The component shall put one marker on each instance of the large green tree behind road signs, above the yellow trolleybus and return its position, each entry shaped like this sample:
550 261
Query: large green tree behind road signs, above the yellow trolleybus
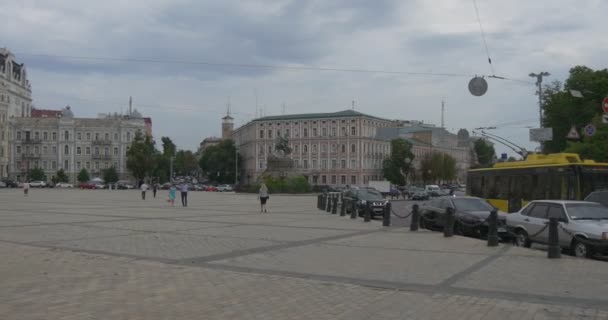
563 111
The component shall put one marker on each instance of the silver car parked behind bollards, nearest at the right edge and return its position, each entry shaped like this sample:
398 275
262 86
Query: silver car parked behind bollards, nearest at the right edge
583 229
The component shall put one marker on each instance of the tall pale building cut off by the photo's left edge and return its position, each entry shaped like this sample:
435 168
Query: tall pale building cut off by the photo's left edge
15 100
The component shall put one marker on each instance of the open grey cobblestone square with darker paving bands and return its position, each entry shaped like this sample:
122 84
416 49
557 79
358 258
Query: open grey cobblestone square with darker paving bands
72 254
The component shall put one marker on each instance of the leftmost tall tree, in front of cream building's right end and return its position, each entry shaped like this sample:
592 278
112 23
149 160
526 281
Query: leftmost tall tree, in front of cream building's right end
141 156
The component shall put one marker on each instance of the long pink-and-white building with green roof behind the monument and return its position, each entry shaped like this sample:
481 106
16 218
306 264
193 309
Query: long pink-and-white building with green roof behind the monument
337 149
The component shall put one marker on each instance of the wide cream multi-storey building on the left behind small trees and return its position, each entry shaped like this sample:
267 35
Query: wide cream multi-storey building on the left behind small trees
72 144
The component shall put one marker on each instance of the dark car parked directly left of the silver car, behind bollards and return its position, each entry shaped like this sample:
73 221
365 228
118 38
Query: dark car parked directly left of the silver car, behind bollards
471 216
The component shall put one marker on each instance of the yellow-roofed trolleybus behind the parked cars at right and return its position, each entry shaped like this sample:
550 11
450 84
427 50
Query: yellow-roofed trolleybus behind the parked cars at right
561 176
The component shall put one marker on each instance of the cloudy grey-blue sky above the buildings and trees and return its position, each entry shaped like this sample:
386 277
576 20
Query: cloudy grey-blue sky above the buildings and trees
184 61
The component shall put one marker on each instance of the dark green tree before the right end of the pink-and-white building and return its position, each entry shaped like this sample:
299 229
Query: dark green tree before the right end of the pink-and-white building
396 168
